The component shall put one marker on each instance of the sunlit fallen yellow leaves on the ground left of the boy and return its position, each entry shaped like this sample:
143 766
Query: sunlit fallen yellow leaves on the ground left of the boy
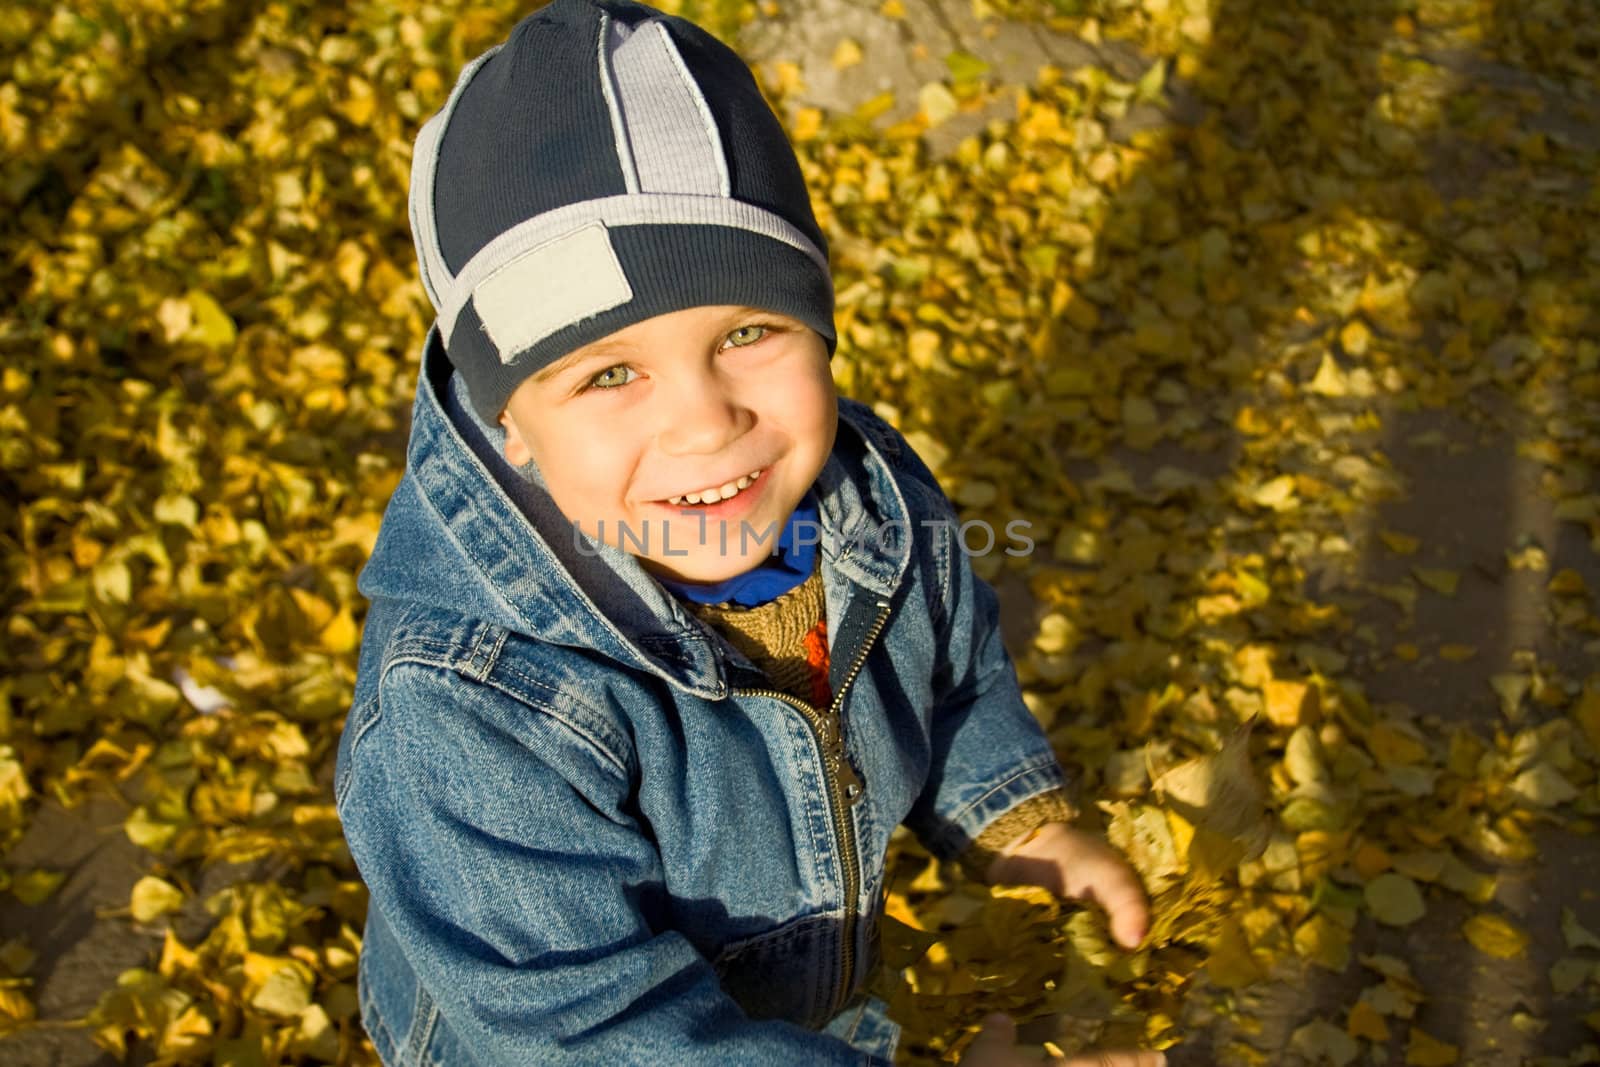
209 370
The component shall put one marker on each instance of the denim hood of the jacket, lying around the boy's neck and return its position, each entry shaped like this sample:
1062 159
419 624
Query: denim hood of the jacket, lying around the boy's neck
471 535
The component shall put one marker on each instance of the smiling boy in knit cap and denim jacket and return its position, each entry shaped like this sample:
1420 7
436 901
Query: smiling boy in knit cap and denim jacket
665 637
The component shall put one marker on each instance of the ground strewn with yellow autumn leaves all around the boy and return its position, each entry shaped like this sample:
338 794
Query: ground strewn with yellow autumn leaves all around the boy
1298 383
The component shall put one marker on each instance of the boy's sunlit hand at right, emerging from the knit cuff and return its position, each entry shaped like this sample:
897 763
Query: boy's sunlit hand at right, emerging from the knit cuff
1081 866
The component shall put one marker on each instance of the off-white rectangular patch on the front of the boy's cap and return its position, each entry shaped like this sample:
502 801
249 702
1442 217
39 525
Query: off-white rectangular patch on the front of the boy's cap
551 287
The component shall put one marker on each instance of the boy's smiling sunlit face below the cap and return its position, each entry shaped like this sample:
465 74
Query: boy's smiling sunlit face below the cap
684 404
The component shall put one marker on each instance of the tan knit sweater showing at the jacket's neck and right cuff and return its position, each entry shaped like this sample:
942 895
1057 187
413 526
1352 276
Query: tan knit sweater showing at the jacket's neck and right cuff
788 641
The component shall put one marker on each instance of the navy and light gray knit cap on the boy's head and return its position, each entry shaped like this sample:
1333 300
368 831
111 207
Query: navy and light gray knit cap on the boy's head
604 166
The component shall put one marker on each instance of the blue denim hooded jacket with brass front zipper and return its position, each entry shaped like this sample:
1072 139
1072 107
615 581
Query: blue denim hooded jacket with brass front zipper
593 833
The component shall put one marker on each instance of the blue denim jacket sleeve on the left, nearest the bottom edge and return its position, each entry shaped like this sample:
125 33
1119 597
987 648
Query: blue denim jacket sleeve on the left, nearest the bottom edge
498 847
